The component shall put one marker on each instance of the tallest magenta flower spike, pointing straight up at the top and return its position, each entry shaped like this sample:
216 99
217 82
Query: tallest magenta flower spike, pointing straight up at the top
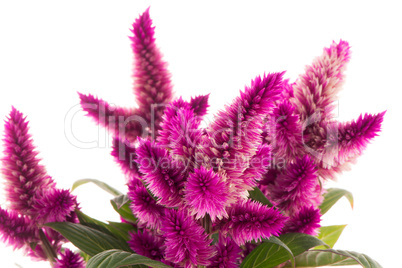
152 85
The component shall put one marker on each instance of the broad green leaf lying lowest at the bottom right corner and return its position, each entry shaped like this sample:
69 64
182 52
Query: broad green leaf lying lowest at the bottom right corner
331 257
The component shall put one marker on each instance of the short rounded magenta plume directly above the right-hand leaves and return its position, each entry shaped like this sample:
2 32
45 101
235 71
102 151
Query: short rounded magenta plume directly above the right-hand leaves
297 186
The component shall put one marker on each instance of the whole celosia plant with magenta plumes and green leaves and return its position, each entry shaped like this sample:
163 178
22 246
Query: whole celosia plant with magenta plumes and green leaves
199 197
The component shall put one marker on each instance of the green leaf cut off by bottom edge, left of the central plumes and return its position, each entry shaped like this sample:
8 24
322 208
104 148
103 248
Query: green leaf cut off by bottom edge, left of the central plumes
117 258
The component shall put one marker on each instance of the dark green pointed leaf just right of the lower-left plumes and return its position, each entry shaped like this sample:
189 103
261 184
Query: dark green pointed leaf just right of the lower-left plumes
87 239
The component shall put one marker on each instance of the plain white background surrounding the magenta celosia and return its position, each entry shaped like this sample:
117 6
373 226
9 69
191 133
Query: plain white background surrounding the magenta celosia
49 51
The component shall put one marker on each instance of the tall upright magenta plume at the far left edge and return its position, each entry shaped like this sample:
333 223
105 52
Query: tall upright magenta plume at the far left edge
20 166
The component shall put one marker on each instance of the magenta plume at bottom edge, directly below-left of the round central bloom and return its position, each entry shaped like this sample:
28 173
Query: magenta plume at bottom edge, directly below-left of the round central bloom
186 243
